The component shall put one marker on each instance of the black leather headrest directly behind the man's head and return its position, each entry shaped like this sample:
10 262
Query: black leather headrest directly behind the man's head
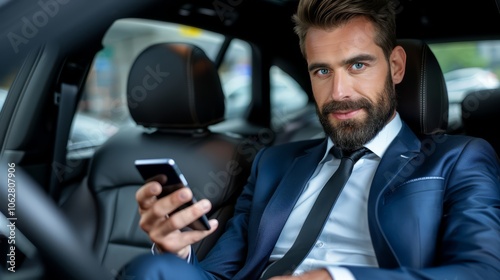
422 95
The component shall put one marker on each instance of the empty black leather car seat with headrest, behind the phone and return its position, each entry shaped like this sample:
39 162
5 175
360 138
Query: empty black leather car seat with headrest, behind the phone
174 94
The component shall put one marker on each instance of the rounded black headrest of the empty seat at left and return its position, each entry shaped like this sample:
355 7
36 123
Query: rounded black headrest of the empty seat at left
174 85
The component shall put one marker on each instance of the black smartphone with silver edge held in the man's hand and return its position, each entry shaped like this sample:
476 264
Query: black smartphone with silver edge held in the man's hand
150 169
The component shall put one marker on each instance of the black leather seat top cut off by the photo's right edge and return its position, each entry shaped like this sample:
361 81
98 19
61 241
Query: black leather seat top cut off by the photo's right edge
480 112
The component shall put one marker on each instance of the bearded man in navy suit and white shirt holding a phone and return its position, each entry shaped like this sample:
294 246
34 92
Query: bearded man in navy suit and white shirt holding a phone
439 221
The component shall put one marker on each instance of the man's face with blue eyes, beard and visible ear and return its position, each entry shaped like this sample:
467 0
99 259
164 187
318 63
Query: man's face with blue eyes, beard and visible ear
352 81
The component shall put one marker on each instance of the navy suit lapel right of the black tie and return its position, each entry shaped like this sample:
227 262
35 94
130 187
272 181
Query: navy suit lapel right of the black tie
391 172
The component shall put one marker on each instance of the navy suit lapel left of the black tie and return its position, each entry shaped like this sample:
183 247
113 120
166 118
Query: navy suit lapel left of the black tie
280 206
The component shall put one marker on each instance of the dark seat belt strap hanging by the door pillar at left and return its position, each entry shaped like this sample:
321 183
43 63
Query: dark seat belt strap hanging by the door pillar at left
66 101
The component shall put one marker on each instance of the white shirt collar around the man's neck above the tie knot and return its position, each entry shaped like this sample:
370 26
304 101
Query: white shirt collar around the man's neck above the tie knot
379 144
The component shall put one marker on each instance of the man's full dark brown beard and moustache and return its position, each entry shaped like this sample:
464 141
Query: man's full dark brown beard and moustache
352 134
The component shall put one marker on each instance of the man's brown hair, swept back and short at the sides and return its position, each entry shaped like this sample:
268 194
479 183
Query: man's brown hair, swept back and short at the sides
328 14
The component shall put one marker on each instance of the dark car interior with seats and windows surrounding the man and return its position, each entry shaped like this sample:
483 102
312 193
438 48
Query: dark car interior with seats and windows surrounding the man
91 86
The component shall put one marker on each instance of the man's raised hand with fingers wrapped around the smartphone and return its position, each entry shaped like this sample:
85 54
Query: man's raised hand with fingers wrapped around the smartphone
164 228
